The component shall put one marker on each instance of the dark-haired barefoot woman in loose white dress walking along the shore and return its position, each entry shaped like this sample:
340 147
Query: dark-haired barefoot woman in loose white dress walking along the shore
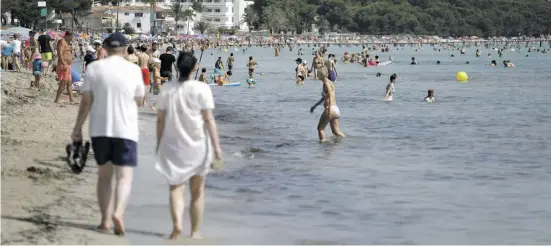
187 141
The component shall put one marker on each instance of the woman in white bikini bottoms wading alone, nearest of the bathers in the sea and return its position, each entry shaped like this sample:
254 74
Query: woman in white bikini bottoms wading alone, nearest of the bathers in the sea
331 114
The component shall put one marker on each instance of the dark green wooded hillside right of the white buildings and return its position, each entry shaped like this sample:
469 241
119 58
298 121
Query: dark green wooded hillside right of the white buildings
481 18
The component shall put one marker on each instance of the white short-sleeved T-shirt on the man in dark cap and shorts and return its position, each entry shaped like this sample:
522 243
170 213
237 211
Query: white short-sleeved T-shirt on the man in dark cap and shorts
115 85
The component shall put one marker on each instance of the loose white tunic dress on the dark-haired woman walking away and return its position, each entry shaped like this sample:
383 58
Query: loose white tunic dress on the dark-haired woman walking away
185 149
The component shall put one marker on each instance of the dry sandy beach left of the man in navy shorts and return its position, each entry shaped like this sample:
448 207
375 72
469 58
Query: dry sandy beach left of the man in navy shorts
43 202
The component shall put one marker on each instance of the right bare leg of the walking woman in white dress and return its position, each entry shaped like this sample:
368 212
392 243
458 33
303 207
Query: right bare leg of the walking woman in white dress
196 208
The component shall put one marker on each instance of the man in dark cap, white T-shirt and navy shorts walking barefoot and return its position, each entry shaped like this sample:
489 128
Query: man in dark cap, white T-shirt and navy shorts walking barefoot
112 92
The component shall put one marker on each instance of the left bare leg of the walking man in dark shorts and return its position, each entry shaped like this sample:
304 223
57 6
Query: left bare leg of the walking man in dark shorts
104 194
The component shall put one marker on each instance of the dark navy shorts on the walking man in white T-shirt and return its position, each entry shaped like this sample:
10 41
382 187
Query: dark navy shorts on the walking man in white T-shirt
120 152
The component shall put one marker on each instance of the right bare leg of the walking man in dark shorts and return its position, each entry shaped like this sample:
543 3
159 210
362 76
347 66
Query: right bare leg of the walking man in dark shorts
123 177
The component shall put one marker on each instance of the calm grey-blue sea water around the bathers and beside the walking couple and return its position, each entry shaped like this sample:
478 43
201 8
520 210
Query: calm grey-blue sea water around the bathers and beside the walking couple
472 168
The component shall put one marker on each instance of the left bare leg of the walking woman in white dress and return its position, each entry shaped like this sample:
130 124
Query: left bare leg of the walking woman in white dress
176 200
